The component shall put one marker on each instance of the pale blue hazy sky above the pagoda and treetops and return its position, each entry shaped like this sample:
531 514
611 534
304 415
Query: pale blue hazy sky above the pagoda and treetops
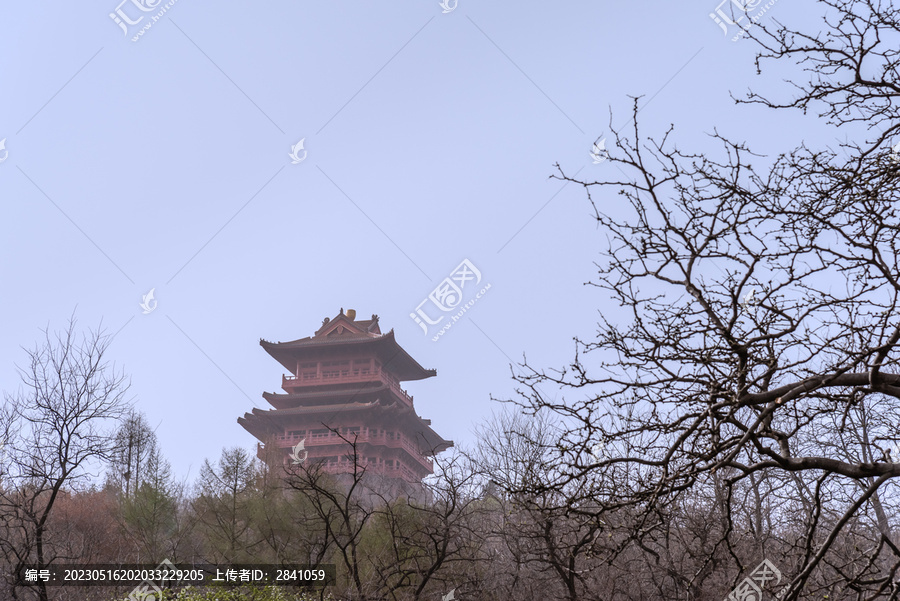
429 138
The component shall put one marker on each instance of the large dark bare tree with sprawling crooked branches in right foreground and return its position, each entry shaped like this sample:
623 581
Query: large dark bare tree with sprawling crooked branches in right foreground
754 358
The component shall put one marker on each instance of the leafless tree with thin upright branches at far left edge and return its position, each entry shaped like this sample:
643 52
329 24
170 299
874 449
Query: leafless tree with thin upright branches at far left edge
55 429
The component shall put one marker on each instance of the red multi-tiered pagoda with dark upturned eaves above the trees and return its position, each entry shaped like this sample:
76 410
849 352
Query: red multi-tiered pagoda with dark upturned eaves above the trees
343 390
